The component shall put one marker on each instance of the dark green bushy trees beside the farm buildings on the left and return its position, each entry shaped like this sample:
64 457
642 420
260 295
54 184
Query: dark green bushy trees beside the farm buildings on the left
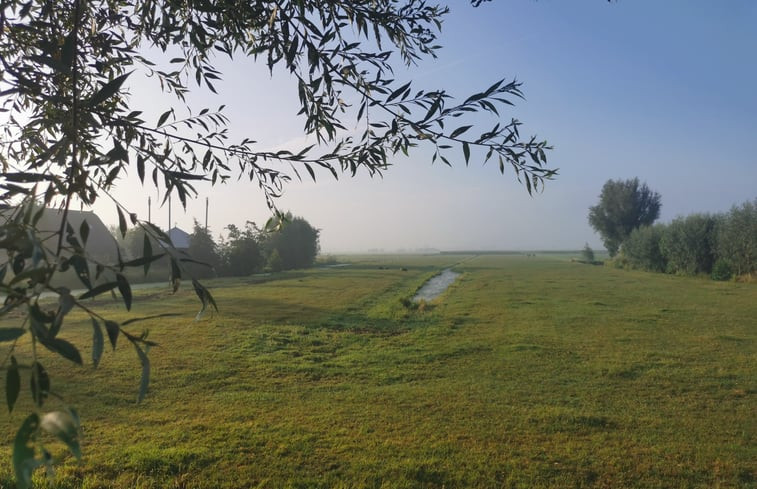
243 251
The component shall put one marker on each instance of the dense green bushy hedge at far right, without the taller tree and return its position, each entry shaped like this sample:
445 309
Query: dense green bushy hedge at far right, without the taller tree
720 245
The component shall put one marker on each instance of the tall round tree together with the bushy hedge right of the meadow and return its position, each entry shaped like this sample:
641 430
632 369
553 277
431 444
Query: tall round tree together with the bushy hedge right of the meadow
717 244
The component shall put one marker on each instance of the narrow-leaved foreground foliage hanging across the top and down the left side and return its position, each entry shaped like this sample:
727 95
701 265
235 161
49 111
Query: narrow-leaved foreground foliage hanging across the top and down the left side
70 131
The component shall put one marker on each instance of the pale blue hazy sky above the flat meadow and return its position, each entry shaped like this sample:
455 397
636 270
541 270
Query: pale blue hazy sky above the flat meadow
660 90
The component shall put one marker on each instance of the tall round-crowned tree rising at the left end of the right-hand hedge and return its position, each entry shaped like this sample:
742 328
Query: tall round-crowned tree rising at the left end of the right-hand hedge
624 205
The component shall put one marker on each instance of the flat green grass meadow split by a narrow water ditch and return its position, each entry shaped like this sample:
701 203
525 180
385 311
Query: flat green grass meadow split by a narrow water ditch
528 372
